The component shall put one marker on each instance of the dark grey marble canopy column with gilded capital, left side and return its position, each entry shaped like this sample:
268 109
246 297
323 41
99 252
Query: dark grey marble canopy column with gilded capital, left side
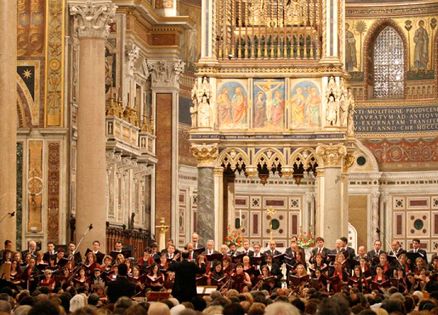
206 155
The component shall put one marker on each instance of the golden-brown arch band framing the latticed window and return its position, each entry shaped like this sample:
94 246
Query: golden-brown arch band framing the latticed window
369 42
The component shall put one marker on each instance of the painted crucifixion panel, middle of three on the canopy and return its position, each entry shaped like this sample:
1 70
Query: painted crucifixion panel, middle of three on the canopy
268 103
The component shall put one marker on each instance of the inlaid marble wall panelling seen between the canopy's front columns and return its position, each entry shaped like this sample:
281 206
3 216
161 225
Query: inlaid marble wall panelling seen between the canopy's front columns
259 225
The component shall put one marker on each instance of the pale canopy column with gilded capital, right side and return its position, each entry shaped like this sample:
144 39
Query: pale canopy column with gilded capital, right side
332 201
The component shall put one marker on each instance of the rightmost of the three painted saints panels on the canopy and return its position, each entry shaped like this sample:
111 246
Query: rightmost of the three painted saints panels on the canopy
305 104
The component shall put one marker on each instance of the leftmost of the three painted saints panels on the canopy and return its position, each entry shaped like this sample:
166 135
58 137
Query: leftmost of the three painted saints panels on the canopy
232 104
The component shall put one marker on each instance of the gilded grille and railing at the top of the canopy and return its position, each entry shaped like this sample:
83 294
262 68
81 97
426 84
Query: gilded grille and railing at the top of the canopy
261 29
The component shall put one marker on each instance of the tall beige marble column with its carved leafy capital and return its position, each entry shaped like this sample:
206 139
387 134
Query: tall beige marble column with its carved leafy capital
92 20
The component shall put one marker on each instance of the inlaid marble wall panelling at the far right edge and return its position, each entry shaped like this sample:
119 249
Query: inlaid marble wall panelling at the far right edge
414 216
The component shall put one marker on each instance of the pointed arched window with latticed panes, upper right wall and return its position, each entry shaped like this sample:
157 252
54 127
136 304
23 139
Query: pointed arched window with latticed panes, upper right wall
388 56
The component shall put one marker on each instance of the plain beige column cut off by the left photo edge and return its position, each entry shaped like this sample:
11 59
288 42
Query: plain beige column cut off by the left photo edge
8 111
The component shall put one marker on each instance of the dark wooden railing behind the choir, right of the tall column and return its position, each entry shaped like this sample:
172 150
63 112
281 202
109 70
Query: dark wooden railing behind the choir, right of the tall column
134 239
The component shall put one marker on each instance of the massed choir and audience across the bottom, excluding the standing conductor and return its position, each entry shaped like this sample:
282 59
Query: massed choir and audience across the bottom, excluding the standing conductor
240 280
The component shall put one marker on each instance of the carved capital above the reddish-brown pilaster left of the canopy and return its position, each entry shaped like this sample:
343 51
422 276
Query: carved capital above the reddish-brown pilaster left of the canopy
165 74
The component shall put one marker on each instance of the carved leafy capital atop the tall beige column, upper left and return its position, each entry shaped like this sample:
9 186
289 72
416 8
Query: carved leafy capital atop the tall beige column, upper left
92 17
